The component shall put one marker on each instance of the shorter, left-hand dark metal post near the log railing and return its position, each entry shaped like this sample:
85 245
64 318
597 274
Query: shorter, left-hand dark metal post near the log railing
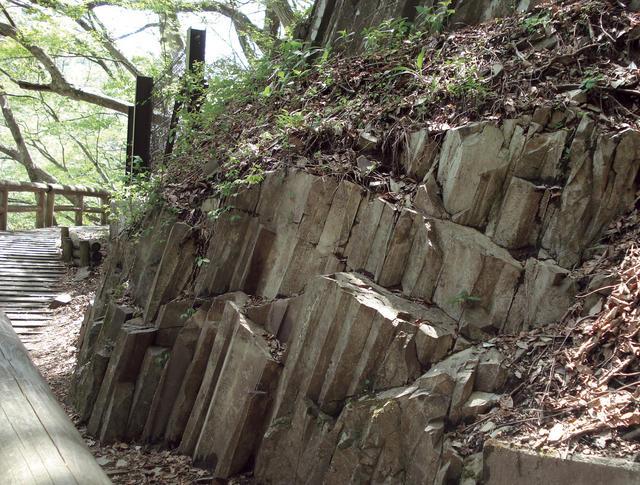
142 124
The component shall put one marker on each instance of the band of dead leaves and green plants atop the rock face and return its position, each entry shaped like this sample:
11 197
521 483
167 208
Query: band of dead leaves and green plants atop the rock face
309 107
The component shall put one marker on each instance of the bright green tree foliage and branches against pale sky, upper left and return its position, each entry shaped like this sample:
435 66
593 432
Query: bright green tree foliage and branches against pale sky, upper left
68 69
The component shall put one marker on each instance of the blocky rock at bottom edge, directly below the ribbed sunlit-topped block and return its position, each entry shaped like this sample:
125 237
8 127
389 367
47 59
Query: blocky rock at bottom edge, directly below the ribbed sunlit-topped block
393 437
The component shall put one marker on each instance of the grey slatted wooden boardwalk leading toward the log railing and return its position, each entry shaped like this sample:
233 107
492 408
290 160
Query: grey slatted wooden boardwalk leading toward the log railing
30 273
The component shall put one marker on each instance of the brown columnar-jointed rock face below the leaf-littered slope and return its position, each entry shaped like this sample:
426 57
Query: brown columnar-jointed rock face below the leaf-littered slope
333 336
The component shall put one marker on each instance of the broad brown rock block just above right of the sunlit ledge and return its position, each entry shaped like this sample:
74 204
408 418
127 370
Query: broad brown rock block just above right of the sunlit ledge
464 273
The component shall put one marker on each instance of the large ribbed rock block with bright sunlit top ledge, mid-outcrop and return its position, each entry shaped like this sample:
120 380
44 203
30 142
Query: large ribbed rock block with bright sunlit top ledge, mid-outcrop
354 335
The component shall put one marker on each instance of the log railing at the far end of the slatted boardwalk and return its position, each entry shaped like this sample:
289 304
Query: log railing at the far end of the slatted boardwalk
46 202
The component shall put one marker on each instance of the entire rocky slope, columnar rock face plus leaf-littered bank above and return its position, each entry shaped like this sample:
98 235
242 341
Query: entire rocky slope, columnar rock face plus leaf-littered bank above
343 269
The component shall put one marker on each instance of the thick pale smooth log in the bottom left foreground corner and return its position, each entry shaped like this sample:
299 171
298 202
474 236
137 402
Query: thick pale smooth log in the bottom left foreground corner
48 448
